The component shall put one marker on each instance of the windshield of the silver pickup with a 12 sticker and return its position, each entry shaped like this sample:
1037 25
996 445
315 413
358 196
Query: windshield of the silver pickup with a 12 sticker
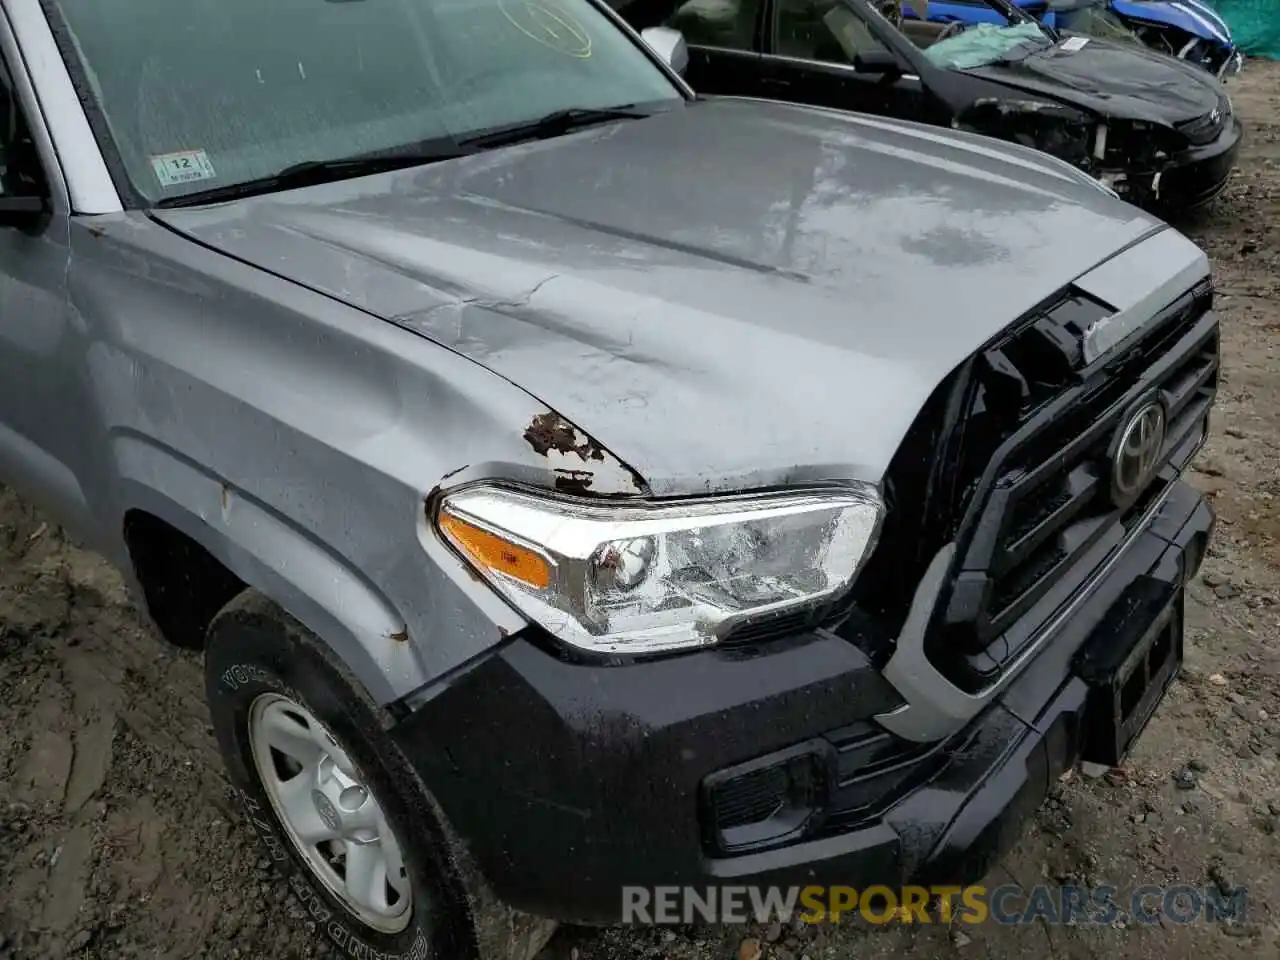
207 94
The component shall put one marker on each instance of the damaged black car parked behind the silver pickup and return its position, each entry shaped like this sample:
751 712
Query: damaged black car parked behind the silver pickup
1158 131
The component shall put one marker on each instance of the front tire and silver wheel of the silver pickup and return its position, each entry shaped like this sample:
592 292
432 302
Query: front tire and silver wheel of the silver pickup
268 678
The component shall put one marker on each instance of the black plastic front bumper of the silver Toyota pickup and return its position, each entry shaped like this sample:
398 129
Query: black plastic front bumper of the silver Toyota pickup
570 781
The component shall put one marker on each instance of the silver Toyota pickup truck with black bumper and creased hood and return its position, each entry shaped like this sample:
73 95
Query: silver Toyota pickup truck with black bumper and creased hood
577 484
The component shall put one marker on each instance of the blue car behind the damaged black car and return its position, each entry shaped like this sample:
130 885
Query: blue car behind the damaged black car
1190 30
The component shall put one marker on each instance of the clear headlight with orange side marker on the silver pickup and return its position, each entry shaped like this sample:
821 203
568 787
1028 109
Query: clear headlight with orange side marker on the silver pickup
660 577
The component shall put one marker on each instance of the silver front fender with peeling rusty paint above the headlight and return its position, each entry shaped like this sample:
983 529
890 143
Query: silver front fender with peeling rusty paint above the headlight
299 441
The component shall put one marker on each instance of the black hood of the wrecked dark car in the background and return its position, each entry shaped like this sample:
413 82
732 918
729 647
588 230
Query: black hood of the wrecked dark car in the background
1116 80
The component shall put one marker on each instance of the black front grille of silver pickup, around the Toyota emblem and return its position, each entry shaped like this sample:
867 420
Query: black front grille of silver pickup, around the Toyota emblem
1009 461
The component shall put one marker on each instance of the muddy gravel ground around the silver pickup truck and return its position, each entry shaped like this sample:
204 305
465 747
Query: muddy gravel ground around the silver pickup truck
118 836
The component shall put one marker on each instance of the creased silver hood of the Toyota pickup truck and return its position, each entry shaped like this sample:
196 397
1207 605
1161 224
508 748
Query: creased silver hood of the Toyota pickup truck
729 295
